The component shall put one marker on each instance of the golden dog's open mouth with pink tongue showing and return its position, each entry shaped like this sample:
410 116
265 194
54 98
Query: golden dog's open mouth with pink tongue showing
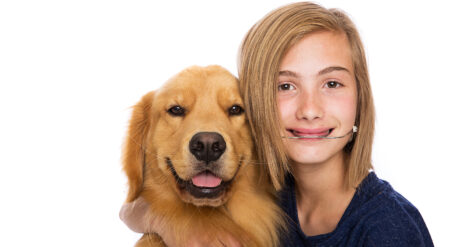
203 185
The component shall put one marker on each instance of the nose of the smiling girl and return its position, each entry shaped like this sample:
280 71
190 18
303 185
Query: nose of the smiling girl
310 107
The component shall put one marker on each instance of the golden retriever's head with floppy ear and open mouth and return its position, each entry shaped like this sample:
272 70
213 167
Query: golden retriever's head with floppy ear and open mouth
190 136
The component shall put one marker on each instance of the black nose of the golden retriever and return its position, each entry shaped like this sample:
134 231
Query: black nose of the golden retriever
207 146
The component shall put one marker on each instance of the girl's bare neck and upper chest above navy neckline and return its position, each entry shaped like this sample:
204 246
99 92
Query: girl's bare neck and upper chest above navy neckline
321 194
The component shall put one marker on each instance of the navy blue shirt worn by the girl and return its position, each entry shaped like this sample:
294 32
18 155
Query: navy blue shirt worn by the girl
376 216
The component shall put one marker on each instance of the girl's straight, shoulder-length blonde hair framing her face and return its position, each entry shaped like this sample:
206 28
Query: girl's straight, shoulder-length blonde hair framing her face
259 60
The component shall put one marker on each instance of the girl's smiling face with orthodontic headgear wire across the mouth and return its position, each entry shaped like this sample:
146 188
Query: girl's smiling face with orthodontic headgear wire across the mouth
317 96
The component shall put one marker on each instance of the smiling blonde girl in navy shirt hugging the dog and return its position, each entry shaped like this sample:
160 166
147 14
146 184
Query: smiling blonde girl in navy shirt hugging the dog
304 80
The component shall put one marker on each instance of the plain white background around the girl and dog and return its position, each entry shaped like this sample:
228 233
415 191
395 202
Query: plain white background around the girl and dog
70 70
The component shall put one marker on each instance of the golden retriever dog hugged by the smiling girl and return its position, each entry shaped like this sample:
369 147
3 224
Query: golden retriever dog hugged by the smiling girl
189 154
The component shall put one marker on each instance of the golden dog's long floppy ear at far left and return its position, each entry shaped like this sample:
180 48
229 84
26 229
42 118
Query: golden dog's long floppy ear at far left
135 145
